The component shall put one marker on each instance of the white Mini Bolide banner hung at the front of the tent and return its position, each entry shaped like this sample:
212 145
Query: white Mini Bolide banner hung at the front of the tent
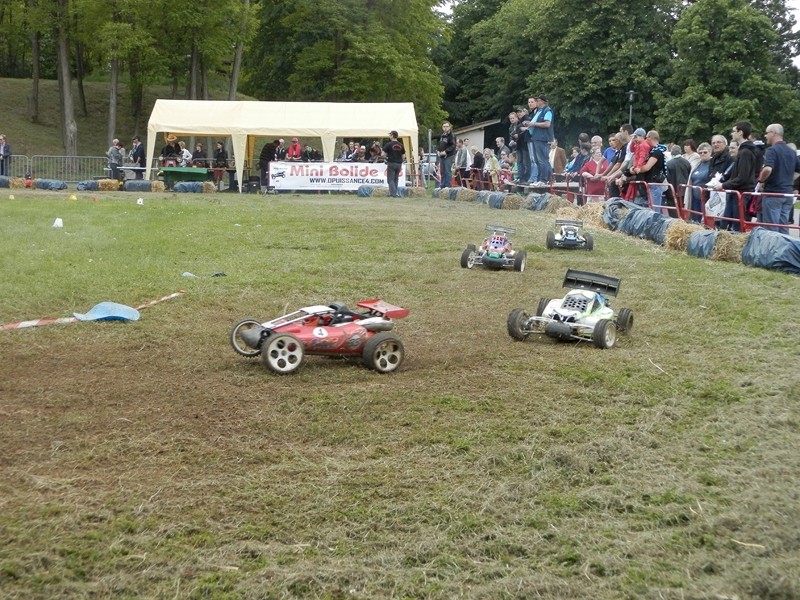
328 176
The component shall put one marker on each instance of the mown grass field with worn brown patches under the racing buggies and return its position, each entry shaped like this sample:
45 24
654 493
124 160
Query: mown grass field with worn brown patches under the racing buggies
148 460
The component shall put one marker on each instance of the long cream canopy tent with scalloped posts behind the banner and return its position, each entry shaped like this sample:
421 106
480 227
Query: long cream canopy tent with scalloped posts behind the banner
244 120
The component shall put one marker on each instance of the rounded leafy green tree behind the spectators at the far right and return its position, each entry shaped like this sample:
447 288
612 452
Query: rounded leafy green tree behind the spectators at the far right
724 70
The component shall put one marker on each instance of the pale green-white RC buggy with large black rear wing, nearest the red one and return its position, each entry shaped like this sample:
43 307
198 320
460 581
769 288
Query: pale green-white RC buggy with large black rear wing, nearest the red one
583 314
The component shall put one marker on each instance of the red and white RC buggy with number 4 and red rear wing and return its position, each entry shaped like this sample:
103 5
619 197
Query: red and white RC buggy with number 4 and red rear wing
332 330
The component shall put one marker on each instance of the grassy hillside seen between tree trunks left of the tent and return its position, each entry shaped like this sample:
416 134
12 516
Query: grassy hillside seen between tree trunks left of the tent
44 137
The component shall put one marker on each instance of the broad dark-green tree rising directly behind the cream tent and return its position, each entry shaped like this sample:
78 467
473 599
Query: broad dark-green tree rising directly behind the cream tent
347 50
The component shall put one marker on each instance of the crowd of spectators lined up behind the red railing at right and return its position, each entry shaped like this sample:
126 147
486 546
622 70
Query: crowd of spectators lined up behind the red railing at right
740 172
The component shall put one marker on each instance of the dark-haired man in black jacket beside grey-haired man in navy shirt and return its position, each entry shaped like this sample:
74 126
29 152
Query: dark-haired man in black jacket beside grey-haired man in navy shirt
742 178
